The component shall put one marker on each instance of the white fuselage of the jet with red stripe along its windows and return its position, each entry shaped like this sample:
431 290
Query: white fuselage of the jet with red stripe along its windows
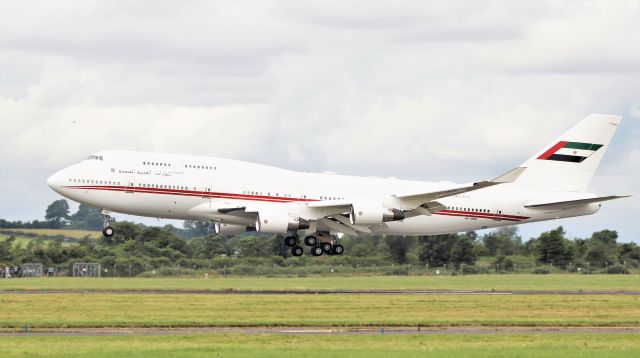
175 186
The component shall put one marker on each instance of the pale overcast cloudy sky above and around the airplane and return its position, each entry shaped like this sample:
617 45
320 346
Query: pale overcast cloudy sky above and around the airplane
421 90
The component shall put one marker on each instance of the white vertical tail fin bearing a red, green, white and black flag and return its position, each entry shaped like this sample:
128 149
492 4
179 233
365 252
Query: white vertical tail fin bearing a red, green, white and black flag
569 163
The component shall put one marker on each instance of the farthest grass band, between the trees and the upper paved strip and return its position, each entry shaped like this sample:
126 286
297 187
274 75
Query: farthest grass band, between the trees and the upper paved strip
568 282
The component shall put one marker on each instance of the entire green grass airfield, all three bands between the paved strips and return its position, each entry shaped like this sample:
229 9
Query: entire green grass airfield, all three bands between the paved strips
74 309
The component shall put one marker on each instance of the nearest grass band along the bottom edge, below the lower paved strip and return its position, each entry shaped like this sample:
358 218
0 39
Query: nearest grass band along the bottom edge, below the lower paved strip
269 345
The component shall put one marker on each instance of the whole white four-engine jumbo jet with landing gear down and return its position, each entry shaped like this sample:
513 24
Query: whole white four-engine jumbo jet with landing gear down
240 196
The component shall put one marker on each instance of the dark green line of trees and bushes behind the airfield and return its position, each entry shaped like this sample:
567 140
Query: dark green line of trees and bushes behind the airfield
137 249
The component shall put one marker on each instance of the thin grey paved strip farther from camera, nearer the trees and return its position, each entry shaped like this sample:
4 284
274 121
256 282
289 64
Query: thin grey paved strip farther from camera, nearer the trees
318 292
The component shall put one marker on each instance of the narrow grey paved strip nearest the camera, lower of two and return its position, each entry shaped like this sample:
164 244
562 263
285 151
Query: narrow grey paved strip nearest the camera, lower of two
89 332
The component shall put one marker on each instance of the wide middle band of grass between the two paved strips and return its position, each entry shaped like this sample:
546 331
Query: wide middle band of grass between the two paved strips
202 310
